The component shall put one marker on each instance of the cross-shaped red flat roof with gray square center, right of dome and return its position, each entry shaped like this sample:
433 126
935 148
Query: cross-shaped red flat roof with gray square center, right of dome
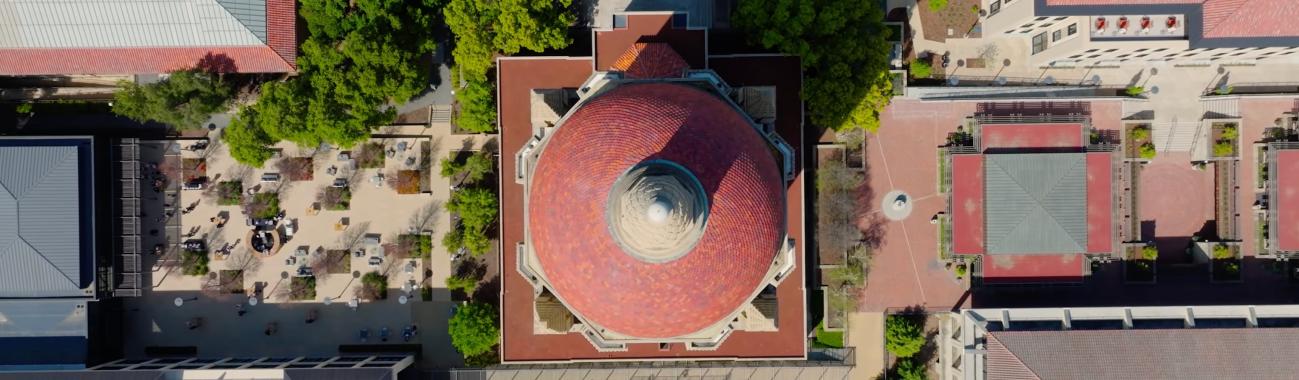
1032 202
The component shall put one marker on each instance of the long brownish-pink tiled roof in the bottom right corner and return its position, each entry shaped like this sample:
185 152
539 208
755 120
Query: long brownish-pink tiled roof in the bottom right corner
1180 353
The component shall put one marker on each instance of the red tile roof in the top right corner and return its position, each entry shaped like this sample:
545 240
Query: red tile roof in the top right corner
1226 19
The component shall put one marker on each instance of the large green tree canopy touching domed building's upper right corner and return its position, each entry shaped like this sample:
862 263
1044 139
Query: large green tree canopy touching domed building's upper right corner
845 51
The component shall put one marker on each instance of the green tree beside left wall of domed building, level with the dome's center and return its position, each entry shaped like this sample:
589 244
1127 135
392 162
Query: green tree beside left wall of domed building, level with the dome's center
477 211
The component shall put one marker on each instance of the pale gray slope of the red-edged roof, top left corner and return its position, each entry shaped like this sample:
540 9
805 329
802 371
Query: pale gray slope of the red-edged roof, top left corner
140 24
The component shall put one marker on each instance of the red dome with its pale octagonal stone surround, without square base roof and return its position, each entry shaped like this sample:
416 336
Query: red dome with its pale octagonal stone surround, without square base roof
655 208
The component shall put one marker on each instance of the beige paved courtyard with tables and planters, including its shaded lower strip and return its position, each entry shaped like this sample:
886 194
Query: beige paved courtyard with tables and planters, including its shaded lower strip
231 324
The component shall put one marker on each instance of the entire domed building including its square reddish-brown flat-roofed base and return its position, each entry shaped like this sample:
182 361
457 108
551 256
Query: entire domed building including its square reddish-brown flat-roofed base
655 209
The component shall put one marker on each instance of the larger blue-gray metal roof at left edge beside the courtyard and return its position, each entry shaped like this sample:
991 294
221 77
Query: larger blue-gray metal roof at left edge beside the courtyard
41 222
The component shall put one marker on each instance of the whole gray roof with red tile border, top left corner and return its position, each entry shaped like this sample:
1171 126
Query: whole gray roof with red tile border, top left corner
140 37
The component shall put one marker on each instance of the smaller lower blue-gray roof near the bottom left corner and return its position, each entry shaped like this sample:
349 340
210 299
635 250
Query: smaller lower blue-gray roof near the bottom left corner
42 318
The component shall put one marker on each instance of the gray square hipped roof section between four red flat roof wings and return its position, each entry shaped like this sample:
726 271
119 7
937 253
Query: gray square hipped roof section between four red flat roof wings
1037 203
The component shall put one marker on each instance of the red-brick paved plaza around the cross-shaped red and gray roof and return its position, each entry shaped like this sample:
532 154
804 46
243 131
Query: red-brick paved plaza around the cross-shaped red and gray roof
1175 199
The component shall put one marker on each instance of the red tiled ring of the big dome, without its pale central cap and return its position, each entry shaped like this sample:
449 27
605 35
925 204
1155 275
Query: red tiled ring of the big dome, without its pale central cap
570 196
